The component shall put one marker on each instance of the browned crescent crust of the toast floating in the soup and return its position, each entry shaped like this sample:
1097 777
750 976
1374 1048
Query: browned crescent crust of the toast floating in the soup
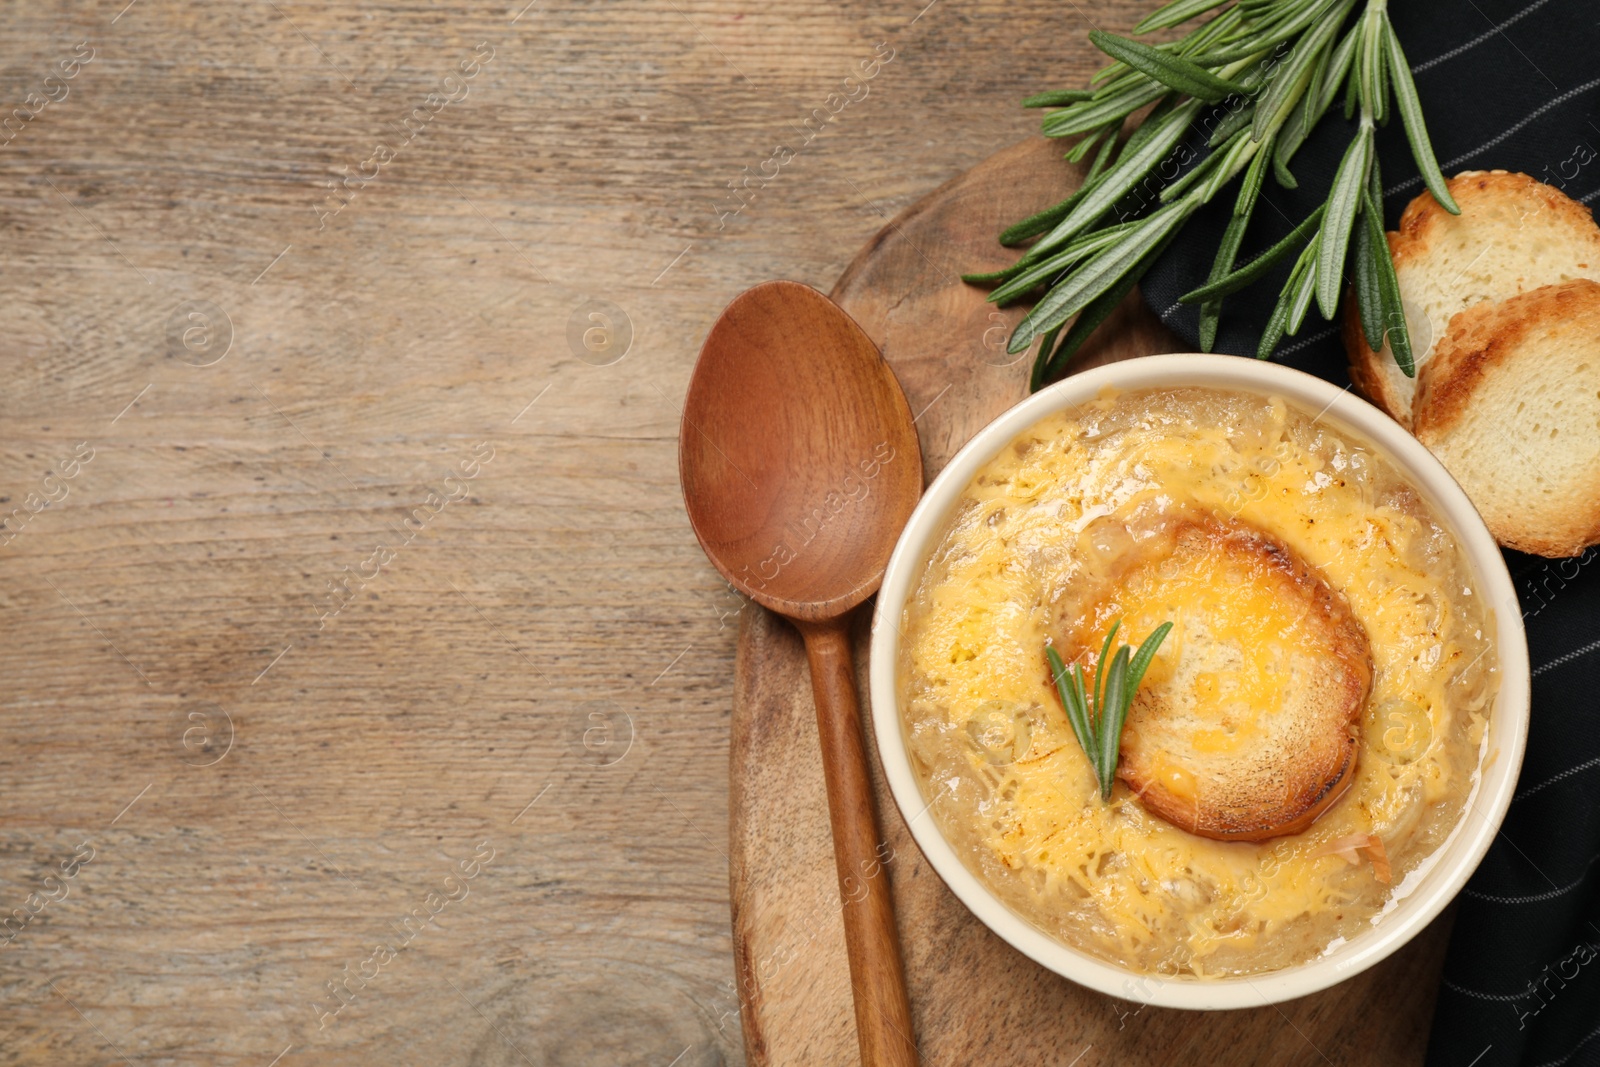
1316 756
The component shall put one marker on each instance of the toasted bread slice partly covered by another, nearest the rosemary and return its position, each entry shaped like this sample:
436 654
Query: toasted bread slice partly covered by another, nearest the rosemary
1514 234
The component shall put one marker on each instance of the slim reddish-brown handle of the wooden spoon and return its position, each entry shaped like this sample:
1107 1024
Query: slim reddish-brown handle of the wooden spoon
862 855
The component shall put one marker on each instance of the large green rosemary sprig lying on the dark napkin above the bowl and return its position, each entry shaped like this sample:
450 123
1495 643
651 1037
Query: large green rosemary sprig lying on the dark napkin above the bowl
1276 68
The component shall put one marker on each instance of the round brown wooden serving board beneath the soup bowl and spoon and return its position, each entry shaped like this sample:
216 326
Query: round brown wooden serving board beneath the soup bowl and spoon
975 999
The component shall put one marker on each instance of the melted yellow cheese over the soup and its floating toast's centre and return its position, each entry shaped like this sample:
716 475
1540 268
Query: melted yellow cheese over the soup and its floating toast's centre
996 756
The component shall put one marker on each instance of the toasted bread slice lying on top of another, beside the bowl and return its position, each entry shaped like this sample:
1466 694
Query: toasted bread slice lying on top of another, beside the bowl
1511 406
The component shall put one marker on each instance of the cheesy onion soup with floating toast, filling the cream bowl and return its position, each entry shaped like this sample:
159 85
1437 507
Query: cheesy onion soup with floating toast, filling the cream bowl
1305 737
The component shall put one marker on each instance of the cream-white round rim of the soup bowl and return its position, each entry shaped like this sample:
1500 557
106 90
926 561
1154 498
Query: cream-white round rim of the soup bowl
1454 861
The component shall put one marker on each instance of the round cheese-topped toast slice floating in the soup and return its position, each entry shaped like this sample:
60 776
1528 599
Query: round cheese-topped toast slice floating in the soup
1246 727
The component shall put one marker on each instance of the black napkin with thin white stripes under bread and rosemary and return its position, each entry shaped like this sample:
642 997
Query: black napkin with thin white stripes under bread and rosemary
1506 86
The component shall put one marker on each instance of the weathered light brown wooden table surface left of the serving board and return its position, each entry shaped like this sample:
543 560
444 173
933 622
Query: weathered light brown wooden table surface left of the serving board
366 695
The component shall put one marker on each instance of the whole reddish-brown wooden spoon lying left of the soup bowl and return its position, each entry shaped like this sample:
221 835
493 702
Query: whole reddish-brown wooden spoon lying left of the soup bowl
801 466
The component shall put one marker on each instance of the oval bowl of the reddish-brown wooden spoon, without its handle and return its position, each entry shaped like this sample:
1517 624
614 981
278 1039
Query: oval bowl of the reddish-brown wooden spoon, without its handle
799 457
